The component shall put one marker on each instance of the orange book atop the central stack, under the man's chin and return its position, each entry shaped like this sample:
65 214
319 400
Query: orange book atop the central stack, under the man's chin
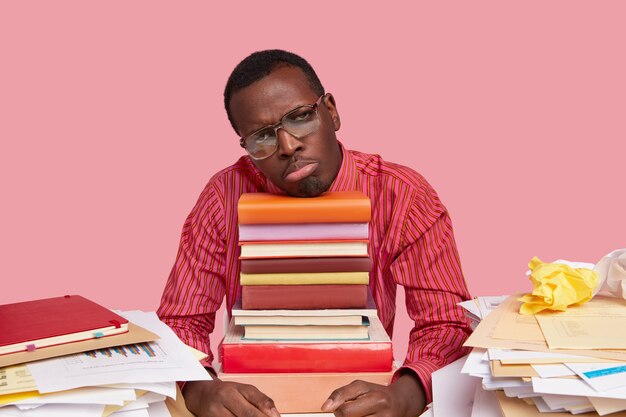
331 207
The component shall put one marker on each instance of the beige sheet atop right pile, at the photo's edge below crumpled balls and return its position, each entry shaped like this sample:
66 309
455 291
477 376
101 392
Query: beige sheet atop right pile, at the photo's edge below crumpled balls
597 324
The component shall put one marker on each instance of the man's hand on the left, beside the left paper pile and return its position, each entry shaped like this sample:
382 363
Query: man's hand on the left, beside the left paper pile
218 398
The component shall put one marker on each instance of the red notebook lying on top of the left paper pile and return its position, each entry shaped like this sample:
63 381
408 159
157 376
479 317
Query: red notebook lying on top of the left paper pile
37 324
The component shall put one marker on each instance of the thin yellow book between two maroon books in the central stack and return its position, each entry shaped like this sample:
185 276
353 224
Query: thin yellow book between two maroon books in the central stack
304 278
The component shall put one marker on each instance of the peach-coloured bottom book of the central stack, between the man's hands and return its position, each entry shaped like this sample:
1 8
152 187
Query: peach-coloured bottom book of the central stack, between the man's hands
303 392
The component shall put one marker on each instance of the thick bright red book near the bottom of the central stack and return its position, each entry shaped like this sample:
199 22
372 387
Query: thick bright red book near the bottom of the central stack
243 356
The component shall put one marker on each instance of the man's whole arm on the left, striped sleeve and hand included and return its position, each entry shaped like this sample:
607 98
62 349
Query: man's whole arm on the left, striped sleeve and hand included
193 293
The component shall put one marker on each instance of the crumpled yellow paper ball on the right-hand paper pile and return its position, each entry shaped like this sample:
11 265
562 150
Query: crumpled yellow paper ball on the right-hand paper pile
557 286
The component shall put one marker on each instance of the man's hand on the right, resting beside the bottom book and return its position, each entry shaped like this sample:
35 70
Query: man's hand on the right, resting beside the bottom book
404 398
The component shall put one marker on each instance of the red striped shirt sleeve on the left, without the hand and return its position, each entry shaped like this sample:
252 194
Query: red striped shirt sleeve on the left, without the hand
196 285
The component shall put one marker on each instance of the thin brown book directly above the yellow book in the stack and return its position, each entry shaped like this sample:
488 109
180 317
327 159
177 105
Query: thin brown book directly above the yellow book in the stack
286 265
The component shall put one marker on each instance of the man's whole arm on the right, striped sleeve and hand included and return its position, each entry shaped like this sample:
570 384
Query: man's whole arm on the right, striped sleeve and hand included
429 269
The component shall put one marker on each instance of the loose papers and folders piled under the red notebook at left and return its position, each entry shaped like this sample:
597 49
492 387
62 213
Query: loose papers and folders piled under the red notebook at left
128 375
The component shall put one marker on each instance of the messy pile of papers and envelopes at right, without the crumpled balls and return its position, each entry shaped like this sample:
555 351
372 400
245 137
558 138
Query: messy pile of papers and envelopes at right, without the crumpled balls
563 363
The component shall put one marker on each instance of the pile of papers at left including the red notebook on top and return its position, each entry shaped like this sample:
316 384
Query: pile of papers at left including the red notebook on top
71 356
